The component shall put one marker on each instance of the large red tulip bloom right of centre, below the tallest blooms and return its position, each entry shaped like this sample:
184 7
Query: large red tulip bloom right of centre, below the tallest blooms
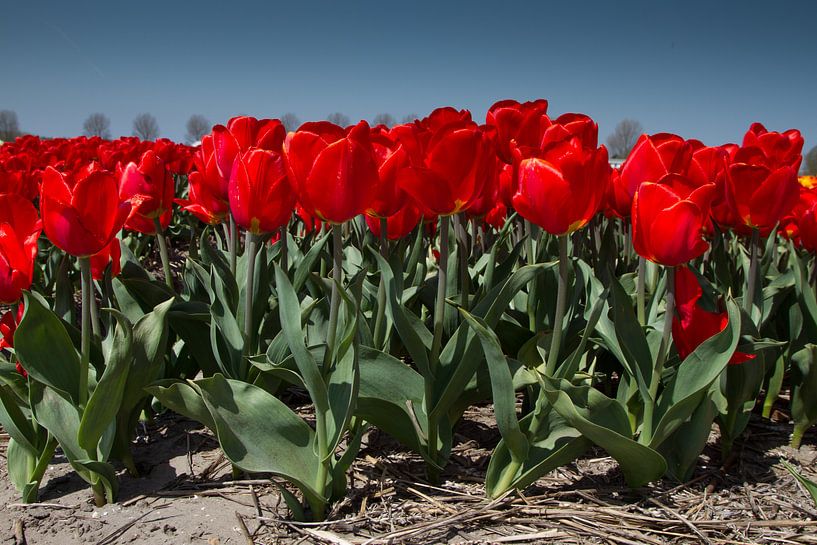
563 187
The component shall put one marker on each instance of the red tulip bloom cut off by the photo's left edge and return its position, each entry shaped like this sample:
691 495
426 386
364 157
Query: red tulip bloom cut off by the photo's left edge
20 227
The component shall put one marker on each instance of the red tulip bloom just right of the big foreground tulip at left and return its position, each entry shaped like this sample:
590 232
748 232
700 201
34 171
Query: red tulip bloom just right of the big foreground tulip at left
149 187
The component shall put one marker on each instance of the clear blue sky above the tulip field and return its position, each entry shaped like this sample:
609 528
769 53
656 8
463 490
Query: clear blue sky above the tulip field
701 69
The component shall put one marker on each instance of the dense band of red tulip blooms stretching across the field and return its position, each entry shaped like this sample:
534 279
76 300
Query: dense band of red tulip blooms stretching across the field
552 172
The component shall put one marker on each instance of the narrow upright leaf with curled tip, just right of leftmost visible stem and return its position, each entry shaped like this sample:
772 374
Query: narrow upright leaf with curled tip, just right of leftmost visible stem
106 398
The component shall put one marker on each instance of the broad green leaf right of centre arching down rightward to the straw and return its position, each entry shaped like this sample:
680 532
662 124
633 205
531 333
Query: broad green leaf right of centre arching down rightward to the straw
605 422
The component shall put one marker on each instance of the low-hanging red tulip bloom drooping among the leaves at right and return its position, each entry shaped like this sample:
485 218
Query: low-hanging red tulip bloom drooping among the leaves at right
692 324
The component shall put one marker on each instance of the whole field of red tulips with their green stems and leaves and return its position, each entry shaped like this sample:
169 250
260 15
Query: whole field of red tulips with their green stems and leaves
398 277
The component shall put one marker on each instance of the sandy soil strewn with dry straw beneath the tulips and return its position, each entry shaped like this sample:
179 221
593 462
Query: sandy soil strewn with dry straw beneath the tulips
755 500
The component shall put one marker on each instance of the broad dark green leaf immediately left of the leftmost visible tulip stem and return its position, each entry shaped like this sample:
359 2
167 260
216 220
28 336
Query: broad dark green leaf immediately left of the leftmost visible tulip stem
45 350
